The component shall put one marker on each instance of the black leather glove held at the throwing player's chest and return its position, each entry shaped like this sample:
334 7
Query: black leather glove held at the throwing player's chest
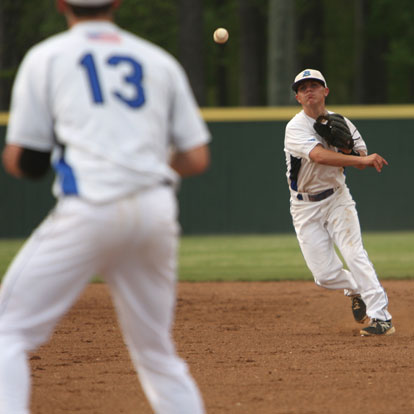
334 129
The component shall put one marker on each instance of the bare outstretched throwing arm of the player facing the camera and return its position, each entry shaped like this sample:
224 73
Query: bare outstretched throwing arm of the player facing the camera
324 156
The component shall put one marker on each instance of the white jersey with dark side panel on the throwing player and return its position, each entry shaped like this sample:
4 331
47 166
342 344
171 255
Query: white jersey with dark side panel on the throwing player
305 176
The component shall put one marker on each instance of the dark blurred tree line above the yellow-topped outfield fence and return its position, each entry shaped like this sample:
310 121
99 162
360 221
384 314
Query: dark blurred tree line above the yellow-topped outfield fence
365 48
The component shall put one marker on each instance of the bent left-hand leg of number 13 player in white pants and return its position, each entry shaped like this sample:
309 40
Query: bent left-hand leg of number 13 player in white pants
43 281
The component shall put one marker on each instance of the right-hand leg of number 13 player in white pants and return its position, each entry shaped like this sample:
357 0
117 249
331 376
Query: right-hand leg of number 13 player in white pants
143 285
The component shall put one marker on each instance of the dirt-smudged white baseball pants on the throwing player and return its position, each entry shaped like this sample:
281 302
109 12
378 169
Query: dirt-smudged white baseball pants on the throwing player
334 221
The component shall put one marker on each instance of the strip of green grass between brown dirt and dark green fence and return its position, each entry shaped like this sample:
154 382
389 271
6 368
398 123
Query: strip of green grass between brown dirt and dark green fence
266 257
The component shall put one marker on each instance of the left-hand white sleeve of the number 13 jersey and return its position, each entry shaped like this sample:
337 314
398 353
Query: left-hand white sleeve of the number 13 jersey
30 124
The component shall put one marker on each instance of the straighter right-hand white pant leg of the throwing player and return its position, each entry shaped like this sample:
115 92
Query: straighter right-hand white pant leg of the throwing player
344 227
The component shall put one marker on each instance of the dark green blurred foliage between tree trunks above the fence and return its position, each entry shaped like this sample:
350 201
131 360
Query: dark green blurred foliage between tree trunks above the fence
369 63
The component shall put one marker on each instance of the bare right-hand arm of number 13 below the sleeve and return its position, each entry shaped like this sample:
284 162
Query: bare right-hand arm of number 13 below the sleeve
192 162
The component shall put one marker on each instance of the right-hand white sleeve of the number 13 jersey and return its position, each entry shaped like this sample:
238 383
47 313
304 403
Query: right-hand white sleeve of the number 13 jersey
188 129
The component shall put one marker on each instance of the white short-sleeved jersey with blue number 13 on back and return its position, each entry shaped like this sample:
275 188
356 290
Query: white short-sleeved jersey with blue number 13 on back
67 86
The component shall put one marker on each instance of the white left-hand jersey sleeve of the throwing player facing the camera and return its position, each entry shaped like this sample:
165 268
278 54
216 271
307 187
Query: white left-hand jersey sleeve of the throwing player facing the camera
300 140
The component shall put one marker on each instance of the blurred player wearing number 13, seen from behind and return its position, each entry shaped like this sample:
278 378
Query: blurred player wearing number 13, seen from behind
106 107
